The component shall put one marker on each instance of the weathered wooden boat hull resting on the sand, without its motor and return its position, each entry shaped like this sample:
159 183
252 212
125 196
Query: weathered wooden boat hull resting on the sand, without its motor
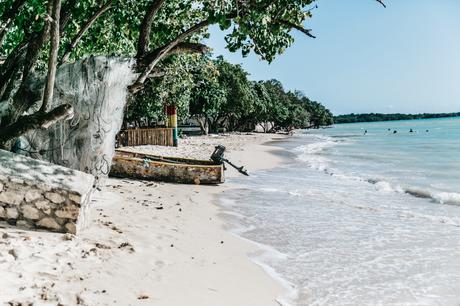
143 166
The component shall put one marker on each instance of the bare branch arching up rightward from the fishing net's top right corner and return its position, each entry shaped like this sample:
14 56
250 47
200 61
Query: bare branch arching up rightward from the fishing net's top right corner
163 51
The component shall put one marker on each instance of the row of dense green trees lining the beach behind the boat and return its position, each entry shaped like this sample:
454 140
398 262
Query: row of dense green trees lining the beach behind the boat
220 96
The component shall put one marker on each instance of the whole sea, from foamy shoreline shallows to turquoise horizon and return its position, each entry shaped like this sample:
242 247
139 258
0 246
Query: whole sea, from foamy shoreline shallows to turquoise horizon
358 214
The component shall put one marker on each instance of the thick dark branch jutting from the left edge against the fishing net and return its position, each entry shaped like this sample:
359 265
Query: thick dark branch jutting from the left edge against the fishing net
38 120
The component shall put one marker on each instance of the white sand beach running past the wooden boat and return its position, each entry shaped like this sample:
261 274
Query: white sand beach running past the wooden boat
134 253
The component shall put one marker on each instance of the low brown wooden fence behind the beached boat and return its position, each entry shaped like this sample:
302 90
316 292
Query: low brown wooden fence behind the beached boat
139 137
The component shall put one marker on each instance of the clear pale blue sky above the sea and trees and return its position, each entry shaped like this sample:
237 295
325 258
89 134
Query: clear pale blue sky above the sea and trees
405 58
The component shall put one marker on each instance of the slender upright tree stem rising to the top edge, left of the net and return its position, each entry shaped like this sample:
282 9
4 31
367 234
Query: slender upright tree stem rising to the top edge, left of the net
52 60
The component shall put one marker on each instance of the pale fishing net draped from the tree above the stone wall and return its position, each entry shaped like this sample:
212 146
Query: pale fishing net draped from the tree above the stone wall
97 89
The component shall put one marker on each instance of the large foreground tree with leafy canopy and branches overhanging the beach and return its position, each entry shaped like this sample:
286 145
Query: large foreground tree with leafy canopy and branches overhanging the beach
150 31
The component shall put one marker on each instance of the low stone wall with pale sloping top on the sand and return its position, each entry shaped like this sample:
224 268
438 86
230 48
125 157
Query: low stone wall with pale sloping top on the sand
39 195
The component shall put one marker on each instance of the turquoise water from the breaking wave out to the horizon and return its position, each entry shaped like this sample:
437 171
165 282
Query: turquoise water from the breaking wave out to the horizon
425 162
